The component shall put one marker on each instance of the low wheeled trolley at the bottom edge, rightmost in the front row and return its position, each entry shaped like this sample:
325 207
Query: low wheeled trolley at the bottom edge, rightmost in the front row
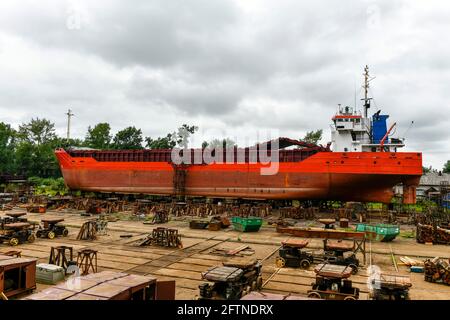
390 287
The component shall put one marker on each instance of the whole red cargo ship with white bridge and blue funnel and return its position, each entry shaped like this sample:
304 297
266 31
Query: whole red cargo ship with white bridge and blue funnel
361 163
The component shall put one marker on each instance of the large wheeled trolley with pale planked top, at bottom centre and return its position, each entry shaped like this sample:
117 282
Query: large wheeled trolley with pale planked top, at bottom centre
236 278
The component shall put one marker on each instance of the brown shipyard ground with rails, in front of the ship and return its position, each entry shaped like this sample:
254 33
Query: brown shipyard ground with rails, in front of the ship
185 265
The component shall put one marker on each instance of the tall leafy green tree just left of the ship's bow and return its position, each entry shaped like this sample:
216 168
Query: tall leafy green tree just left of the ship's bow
35 148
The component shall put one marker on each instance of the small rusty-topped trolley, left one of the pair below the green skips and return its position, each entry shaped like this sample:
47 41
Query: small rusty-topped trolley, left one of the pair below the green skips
292 255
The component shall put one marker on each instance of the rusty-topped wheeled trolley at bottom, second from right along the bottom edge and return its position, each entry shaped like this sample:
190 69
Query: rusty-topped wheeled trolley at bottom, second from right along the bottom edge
332 283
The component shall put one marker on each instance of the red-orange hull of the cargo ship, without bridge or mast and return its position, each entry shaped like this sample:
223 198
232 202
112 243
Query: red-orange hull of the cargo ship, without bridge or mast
345 176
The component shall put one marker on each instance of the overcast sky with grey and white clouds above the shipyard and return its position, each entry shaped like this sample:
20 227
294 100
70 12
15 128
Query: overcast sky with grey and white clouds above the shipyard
234 68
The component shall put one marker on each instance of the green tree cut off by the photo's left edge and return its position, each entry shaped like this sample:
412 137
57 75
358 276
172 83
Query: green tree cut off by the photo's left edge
7 148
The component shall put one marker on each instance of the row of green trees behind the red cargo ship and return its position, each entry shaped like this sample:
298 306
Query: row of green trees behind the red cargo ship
29 150
